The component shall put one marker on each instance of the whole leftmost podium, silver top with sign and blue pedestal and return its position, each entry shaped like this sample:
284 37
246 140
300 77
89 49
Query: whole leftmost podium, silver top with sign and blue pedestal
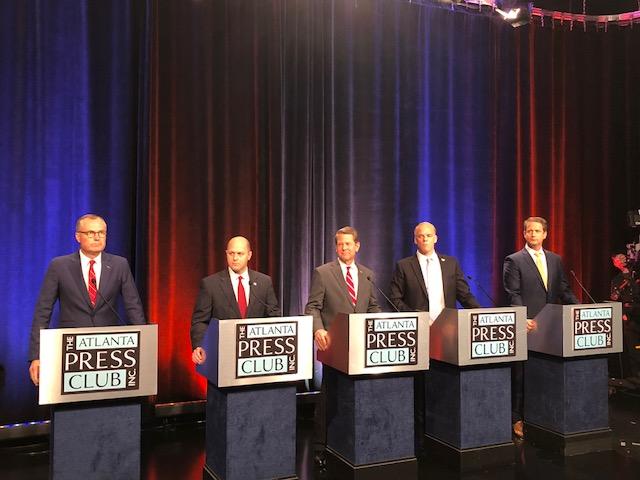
87 375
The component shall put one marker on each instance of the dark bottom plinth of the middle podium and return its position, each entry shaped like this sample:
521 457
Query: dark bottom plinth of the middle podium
339 468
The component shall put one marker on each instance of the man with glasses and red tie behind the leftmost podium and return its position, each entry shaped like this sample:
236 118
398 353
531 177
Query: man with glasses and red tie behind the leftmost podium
86 284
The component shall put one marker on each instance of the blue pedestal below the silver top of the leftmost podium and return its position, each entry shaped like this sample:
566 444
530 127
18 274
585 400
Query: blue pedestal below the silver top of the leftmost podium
95 440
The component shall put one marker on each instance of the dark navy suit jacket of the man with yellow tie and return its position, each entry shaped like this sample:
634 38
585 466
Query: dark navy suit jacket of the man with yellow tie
524 286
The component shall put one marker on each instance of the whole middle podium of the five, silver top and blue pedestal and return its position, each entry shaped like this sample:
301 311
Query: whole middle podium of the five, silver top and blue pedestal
369 394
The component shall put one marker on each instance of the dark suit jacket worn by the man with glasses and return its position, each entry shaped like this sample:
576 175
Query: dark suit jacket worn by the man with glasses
63 282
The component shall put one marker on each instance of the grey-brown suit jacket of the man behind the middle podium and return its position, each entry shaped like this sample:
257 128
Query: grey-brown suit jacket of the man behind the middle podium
329 296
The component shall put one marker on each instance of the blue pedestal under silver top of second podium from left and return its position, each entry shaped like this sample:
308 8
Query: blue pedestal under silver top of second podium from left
251 432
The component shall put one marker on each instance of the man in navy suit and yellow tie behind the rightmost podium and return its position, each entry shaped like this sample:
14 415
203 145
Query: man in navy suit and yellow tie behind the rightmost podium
532 277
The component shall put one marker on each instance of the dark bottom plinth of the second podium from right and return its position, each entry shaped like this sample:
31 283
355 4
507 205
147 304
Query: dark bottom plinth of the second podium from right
469 459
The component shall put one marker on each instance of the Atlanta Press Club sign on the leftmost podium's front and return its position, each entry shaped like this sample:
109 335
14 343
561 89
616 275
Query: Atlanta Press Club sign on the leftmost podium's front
100 362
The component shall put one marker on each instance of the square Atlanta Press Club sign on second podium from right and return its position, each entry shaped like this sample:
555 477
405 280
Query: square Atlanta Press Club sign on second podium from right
493 334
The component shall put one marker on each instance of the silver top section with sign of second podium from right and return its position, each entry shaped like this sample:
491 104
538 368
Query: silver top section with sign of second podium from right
479 336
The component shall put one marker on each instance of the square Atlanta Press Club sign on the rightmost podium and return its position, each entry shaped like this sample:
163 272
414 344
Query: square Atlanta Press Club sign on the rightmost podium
592 328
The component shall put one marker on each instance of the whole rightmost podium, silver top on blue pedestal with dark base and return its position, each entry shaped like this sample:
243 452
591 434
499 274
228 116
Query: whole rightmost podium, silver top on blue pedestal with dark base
565 378
